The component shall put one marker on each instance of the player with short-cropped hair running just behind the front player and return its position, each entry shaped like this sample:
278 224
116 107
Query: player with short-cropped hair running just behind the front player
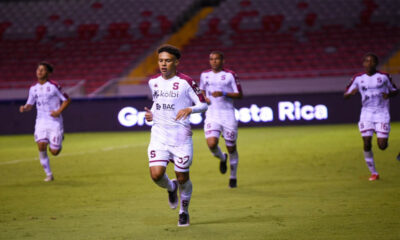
221 86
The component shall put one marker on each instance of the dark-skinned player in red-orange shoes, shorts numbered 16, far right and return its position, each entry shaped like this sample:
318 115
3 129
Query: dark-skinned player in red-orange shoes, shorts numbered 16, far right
375 88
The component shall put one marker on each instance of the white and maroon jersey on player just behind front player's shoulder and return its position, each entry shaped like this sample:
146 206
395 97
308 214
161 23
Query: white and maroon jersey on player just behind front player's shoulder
225 81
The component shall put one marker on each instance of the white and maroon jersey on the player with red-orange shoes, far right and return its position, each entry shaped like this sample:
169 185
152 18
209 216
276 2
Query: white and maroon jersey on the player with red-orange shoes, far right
374 107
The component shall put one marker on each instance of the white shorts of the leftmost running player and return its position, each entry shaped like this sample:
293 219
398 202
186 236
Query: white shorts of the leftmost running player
52 135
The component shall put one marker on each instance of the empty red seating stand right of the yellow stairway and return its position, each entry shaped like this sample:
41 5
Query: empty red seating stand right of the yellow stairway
285 38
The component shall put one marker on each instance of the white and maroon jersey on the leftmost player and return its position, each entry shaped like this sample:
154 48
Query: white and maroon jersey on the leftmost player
47 97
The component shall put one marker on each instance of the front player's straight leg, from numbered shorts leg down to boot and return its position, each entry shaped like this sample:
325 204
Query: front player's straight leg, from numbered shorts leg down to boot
183 156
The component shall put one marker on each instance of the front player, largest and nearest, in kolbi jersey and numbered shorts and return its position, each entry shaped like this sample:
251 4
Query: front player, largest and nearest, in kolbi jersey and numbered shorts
171 137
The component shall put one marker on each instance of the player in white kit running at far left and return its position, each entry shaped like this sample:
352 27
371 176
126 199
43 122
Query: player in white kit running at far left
49 123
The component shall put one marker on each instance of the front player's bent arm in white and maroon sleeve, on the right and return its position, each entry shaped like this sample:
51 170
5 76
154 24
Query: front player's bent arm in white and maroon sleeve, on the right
199 101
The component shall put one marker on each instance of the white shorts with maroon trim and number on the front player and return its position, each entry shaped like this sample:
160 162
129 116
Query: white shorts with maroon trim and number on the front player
161 154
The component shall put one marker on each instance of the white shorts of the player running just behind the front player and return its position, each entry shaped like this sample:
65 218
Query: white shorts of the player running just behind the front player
213 129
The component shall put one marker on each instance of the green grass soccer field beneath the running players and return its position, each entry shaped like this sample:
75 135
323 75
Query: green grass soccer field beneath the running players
305 182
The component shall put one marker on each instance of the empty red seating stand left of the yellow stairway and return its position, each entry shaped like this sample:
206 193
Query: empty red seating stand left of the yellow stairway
91 40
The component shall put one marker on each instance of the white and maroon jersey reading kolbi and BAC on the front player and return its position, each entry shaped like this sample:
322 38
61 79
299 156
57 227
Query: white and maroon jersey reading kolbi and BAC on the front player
170 96
